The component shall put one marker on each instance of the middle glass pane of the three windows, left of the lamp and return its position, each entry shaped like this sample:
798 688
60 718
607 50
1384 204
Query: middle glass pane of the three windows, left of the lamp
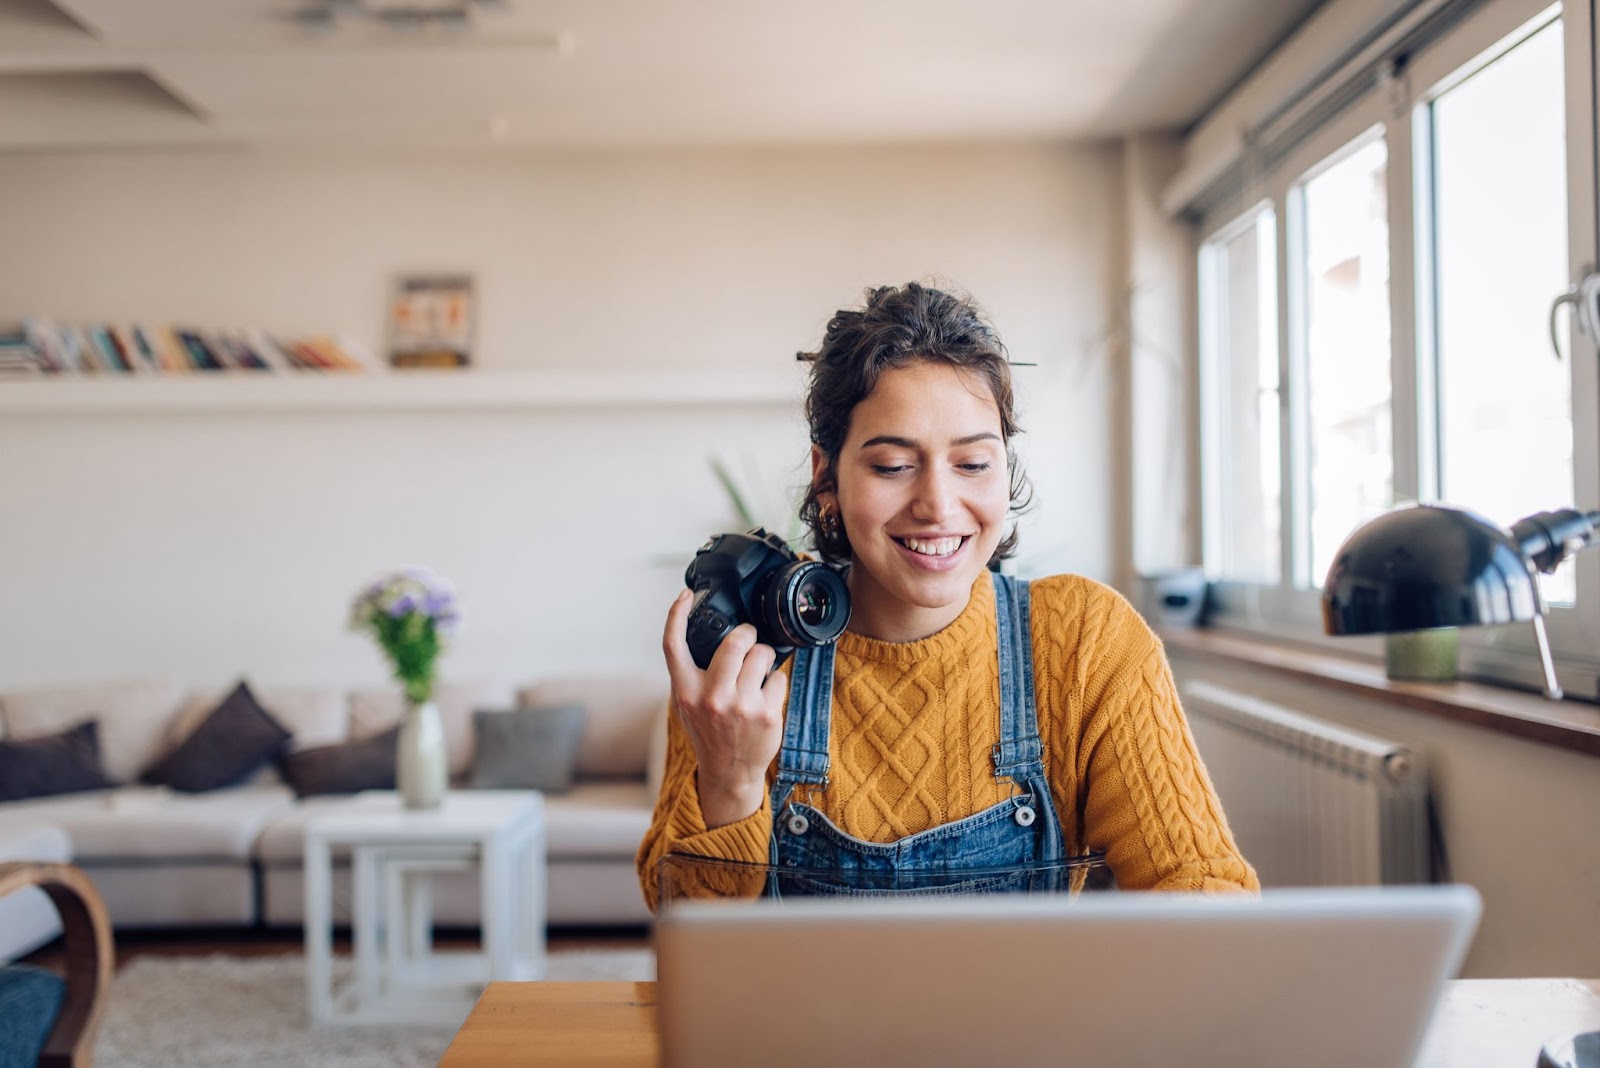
1346 284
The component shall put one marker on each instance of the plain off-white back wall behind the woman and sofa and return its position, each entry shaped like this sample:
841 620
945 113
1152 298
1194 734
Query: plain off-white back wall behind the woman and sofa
210 546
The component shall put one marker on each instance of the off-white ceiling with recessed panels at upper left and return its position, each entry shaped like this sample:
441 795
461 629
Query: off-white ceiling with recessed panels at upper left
94 74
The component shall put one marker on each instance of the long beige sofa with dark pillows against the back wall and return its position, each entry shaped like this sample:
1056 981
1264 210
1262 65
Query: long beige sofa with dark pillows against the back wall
233 856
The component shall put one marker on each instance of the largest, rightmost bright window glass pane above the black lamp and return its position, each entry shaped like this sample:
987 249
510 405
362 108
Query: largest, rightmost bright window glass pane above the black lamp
1500 221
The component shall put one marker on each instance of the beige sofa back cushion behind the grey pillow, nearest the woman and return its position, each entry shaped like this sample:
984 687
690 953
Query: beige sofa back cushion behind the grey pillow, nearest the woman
620 714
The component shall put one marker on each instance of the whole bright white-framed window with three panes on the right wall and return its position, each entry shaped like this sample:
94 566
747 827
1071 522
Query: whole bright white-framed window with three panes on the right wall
1375 319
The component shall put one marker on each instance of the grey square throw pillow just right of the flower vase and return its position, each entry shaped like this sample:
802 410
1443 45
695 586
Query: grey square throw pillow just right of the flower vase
527 749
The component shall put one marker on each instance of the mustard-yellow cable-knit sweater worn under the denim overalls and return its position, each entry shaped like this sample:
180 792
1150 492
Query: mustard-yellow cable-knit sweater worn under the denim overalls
916 725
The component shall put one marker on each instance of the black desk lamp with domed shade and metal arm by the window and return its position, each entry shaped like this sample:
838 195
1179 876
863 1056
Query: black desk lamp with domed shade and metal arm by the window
1423 567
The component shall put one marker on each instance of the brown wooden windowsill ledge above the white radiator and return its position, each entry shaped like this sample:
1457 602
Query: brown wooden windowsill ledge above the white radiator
1569 725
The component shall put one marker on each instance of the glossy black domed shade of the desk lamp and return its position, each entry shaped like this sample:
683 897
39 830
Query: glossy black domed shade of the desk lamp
1422 567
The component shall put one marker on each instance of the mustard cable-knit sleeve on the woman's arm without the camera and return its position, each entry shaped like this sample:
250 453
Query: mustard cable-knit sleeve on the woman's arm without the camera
1146 799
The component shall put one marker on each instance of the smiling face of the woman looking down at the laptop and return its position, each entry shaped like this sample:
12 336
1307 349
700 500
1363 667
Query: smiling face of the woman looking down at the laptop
924 493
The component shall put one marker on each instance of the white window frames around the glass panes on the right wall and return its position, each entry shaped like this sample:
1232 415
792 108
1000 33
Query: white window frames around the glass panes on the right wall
1398 110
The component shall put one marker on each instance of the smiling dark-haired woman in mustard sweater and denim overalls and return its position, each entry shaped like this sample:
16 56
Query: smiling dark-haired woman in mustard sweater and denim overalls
967 722
